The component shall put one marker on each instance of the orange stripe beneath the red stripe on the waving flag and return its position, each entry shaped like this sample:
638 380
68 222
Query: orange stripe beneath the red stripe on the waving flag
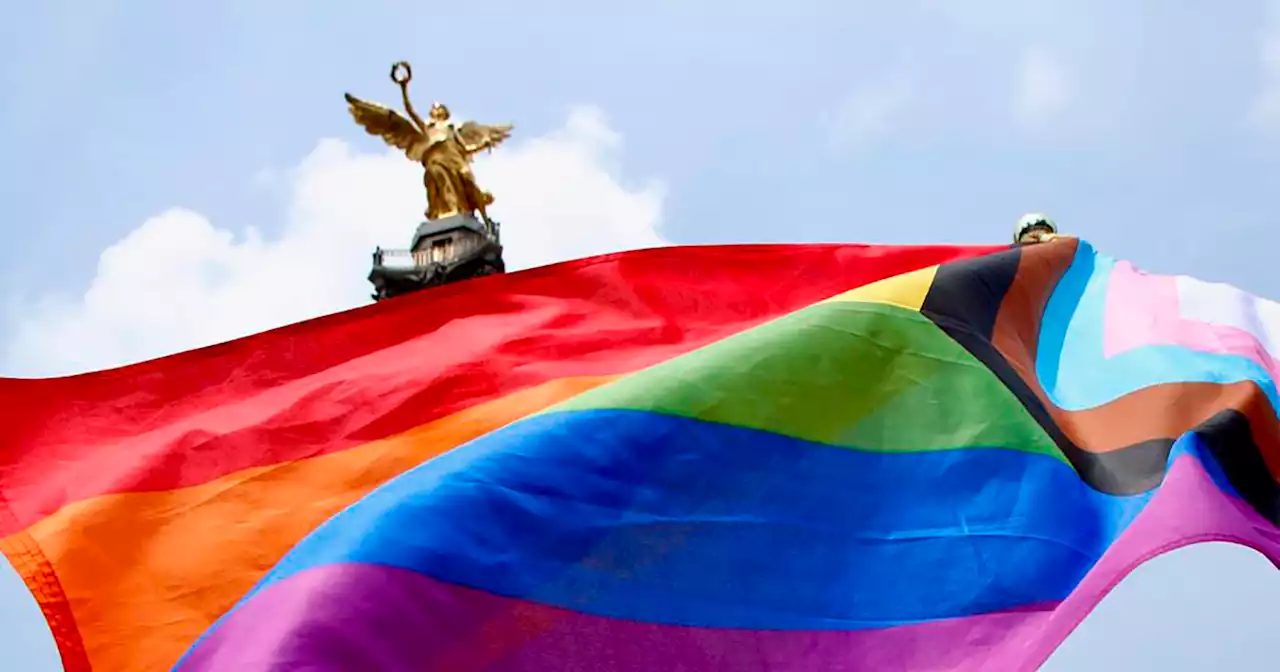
145 574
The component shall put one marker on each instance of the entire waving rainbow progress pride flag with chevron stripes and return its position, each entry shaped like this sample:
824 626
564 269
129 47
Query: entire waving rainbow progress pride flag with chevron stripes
735 459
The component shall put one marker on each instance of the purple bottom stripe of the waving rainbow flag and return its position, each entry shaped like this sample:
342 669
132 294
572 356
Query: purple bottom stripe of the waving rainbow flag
372 618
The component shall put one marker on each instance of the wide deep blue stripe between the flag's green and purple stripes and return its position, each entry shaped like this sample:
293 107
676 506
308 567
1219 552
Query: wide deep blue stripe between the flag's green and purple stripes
660 519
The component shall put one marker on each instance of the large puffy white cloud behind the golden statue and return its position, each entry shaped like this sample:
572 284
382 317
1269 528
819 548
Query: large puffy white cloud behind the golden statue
180 281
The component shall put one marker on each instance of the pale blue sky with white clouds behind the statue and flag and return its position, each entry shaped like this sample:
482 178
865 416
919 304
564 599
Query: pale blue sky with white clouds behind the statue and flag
182 173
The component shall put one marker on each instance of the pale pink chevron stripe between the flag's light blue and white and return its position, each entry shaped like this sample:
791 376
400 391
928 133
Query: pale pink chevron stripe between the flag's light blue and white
1144 310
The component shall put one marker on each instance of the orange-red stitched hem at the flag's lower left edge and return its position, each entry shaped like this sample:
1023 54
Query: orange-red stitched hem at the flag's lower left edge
40 578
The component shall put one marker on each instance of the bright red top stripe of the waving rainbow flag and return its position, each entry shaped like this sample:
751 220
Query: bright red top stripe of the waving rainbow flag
365 374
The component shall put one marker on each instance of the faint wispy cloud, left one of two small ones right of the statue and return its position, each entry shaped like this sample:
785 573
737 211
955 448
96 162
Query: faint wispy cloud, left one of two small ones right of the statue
868 113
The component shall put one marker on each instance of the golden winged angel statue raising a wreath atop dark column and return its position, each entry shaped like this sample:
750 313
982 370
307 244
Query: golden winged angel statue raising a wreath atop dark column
444 149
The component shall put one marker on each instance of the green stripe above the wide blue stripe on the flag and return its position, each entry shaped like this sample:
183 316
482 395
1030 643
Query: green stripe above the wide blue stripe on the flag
860 376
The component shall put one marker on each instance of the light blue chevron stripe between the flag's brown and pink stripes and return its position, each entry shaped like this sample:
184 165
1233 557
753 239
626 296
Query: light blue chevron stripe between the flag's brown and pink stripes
1077 374
